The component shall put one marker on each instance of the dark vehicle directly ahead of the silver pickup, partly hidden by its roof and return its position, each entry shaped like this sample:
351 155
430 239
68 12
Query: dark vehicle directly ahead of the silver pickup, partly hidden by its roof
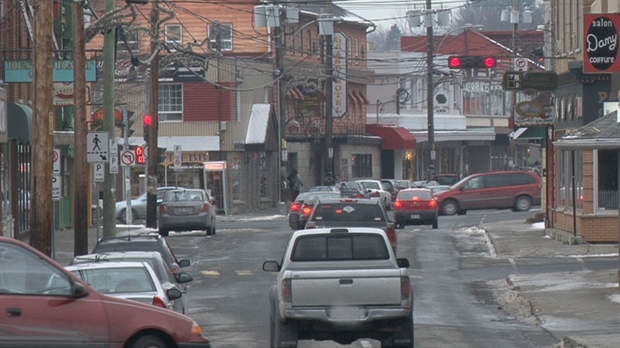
347 212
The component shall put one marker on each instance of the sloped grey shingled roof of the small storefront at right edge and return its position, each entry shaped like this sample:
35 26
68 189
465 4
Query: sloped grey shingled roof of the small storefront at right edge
603 133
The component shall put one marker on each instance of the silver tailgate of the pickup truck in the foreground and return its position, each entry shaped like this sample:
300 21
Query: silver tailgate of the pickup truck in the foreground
334 287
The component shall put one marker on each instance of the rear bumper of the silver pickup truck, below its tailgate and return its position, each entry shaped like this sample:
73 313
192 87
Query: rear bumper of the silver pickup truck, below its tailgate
327 314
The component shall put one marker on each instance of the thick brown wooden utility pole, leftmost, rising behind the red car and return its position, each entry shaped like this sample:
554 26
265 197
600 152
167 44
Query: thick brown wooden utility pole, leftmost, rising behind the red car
41 234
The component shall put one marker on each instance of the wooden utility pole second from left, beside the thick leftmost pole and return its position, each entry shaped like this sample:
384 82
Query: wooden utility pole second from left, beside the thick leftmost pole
80 163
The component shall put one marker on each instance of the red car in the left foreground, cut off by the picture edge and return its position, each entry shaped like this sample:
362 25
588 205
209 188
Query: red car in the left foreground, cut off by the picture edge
44 305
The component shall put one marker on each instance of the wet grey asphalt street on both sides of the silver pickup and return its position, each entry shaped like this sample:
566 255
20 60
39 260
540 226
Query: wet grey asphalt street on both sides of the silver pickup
450 270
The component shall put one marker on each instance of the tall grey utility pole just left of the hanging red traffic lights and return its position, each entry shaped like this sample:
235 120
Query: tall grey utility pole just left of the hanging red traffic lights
430 105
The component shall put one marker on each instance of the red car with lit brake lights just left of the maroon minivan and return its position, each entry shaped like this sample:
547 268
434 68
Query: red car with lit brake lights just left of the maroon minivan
416 206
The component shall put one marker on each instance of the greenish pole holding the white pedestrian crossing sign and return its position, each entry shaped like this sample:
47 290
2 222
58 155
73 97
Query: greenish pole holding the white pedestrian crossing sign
109 181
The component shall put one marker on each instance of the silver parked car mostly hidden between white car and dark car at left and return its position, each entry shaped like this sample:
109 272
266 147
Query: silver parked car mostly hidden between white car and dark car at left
155 260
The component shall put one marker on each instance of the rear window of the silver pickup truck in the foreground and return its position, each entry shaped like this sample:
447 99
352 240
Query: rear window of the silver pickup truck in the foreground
340 247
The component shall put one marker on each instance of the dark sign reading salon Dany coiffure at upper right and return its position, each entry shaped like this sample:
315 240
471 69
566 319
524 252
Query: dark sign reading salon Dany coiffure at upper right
601 43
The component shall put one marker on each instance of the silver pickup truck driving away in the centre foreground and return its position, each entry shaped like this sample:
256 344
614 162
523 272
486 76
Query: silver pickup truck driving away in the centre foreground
340 284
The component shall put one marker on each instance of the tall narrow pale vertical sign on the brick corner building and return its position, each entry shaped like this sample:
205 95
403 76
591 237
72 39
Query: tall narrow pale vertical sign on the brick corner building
339 65
